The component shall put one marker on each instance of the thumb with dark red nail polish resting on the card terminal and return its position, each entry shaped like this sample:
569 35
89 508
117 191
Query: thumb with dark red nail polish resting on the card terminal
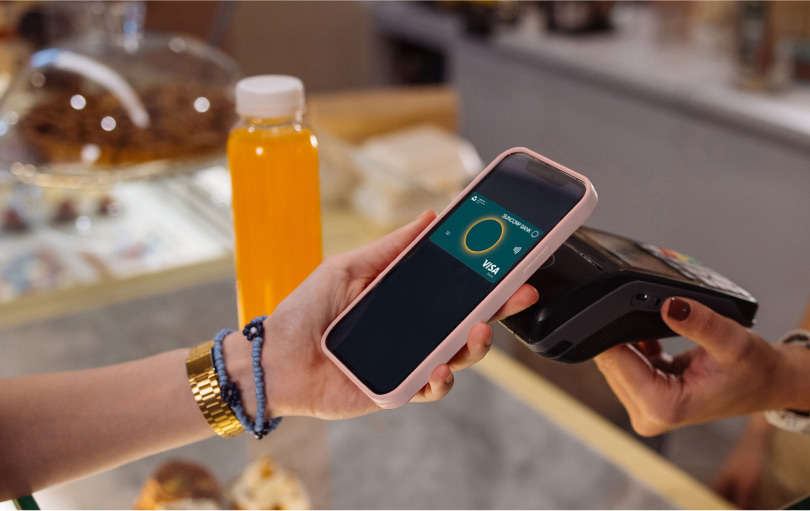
720 336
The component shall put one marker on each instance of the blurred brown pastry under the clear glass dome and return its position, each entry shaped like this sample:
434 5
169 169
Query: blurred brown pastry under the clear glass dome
185 120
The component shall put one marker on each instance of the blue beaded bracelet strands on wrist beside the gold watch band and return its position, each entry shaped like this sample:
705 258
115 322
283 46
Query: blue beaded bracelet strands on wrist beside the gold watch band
259 427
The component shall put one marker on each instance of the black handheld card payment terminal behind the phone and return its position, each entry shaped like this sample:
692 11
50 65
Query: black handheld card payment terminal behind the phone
599 290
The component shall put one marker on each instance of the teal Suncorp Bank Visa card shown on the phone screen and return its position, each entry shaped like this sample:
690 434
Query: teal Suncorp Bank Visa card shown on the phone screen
486 237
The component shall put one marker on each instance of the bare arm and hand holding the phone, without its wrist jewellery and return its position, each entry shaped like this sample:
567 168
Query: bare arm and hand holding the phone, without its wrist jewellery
61 426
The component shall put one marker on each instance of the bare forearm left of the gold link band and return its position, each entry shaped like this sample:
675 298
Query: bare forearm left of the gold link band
60 426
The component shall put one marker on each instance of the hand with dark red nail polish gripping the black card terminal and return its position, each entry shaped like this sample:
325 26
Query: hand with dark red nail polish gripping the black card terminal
732 371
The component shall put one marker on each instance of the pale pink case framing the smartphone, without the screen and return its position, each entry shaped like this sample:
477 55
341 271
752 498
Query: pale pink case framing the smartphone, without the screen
490 305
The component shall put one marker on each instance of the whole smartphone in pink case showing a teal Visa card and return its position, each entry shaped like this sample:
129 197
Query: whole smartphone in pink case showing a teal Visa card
459 271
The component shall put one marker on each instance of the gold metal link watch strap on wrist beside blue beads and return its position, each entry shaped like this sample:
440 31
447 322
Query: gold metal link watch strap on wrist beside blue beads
204 385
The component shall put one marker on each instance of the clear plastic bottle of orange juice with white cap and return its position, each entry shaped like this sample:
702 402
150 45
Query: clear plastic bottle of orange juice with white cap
273 159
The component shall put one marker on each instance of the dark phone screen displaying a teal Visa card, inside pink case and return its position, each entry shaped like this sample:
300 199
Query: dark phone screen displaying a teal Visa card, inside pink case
451 270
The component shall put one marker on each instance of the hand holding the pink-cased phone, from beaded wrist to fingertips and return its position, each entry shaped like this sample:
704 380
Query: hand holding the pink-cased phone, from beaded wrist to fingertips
300 380
